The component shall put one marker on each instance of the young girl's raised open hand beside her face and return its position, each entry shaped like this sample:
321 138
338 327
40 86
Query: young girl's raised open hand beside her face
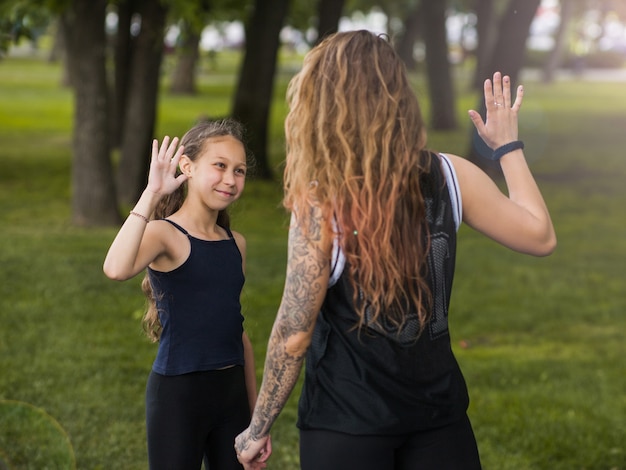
162 178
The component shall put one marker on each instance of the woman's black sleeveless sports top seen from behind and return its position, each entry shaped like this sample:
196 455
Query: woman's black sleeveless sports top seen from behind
376 381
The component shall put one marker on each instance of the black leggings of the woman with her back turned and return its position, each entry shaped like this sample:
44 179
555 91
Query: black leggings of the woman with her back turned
452 447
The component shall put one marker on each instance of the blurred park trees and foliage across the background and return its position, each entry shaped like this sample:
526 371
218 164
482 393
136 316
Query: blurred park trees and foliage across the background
114 49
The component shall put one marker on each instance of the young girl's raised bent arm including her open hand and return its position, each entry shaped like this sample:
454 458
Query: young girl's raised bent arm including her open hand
138 243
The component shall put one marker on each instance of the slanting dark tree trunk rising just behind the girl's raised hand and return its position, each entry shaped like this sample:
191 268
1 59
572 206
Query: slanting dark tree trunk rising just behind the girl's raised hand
141 104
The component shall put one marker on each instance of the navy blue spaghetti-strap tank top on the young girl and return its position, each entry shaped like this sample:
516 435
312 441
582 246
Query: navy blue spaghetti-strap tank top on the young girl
199 308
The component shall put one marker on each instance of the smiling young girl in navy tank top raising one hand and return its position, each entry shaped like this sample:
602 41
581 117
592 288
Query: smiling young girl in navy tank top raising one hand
202 385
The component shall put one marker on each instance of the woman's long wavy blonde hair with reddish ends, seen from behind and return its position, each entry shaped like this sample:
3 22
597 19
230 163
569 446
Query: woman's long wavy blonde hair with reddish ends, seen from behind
355 139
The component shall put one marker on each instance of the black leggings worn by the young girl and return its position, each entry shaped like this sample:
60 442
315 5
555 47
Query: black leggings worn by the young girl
195 415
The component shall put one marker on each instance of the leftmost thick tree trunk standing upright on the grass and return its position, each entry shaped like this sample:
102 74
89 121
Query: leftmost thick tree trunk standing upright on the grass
93 191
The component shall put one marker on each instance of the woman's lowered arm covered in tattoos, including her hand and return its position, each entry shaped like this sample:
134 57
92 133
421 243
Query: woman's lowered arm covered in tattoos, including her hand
305 287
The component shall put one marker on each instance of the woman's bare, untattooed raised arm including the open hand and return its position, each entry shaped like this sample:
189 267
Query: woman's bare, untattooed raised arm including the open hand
520 221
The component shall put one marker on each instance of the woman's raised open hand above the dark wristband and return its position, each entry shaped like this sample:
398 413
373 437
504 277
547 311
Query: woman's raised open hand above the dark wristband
500 126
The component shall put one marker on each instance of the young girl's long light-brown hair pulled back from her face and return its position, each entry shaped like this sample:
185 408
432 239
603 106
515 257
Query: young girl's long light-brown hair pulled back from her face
194 142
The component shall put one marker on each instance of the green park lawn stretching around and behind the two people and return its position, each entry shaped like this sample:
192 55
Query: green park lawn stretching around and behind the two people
541 341
